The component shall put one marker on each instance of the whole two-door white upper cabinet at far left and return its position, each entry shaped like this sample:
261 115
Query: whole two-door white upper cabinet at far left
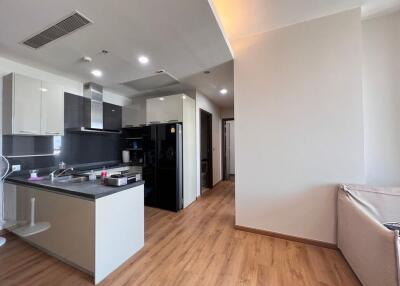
32 106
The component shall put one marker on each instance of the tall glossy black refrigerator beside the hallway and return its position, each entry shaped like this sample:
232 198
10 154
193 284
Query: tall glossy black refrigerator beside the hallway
162 166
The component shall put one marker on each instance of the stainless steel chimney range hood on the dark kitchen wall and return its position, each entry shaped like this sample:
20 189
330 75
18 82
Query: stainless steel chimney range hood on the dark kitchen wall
93 110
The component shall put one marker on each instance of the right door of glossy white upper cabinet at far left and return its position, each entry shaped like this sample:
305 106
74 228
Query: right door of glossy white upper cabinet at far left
52 109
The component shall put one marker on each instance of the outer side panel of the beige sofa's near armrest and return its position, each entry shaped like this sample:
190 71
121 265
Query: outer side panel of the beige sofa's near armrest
369 247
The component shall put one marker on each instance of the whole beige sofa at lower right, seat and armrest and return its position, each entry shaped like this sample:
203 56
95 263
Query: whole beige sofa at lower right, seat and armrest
369 247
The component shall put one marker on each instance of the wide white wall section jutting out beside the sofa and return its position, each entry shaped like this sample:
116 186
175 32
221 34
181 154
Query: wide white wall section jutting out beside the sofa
299 125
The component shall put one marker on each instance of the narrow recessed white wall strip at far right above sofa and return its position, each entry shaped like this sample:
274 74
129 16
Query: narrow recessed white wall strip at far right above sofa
381 83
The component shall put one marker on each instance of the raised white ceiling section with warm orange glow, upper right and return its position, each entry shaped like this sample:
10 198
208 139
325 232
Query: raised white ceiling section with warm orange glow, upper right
243 18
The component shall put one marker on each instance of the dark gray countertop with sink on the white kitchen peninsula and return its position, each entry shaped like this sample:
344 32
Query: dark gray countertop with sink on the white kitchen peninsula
88 189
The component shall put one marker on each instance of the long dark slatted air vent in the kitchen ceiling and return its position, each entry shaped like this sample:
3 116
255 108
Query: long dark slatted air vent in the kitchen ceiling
64 27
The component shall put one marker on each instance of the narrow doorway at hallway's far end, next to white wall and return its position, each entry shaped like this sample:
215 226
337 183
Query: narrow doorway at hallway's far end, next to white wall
228 149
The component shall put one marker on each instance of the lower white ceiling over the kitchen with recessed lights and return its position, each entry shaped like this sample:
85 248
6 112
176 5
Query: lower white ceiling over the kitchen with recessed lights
181 37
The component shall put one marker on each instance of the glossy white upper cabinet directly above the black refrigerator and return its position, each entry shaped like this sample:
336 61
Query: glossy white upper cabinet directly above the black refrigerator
164 109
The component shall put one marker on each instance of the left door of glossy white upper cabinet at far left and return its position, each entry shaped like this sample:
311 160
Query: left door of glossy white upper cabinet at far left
27 105
